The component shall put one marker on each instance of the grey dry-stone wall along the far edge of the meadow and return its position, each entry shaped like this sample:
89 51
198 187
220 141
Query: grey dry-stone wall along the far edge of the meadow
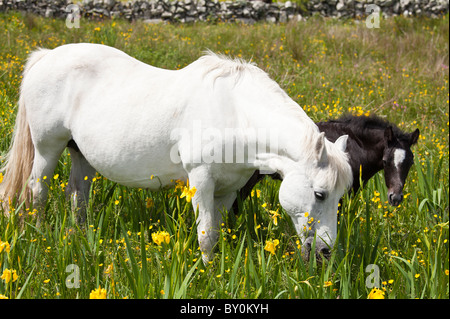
248 11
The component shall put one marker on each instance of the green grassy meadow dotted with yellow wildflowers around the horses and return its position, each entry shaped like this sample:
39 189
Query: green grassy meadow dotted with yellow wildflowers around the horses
141 244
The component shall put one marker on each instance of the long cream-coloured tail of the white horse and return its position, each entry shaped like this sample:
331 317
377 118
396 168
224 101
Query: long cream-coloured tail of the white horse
18 164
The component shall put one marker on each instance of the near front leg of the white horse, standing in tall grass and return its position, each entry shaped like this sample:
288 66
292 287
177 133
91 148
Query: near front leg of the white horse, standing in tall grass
208 220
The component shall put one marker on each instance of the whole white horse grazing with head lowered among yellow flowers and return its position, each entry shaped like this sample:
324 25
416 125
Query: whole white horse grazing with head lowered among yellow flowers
129 121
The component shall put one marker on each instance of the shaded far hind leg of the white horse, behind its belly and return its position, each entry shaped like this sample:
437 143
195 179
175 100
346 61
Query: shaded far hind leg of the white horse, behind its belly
80 180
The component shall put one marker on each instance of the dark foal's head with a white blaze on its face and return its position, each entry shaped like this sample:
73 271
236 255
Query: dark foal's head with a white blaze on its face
397 160
